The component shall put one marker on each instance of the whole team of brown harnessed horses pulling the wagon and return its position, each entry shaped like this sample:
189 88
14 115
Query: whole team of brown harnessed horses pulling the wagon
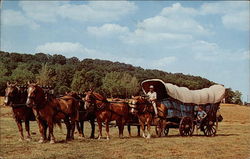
33 103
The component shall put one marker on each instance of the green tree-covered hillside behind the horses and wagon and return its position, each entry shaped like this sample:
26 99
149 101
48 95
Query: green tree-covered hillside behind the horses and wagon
112 79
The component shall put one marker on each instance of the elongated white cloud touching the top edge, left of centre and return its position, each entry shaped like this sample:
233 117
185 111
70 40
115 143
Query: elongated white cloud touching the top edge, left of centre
97 11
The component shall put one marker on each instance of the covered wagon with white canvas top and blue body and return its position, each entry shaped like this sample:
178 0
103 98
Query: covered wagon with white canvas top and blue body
182 105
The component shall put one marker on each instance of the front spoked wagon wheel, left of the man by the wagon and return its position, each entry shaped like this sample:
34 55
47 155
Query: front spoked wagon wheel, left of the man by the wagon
186 127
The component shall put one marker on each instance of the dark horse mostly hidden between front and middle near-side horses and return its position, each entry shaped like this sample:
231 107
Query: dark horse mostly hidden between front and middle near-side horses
84 115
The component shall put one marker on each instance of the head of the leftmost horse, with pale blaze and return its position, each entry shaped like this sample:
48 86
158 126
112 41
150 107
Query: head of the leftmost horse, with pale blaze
10 93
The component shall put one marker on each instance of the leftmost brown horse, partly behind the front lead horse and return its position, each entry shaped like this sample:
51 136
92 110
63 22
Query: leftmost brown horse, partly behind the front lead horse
16 98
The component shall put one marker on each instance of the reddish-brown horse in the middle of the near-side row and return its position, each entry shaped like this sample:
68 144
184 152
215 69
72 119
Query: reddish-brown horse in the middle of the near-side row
107 111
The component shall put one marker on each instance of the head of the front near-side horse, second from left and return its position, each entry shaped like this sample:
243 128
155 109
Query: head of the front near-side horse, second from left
35 95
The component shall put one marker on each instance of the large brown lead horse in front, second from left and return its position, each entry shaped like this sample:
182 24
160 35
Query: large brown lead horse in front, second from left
51 111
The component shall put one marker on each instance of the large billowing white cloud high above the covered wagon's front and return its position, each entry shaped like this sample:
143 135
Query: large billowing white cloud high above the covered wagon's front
175 23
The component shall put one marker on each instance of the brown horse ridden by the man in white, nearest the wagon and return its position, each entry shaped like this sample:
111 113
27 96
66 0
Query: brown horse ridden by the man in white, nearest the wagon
144 110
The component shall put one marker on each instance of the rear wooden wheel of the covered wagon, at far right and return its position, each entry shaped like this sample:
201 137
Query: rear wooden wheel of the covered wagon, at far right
210 127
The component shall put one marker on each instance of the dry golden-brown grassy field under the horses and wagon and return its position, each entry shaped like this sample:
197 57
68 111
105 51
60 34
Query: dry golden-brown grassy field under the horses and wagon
232 141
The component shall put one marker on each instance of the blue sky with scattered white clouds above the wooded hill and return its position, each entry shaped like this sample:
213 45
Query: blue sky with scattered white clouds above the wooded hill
209 39
